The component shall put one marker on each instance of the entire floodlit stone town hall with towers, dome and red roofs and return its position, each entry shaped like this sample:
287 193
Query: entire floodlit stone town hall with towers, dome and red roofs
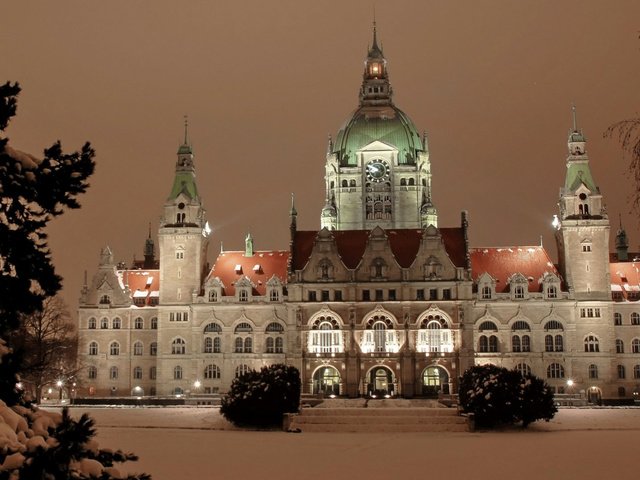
381 300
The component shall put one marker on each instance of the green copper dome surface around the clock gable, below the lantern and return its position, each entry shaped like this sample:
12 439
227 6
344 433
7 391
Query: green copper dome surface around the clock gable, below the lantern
387 124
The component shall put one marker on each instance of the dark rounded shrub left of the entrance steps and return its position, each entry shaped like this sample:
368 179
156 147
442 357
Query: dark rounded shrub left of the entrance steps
261 398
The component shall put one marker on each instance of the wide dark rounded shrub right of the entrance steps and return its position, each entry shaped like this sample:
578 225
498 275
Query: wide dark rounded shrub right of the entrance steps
497 396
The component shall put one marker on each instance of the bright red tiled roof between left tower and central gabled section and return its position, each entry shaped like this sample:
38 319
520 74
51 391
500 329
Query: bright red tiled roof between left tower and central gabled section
270 263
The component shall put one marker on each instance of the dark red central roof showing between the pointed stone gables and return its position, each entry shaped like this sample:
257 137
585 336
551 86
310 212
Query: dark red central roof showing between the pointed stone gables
404 243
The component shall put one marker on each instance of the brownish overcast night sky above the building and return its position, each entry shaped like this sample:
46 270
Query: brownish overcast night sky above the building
264 83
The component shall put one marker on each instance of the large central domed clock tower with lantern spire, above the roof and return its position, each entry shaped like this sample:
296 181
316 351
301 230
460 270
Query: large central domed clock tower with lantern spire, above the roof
377 171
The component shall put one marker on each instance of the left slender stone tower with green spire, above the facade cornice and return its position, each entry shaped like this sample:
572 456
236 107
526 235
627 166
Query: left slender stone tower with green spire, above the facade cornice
183 234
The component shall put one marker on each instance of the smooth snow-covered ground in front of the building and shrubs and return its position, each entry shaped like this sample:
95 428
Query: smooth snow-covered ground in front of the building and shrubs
196 443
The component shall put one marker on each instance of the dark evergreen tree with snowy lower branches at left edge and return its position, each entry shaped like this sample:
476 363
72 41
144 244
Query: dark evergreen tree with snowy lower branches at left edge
37 444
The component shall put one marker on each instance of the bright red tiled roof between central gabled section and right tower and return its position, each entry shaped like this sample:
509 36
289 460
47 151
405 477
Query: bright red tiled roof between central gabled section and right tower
501 263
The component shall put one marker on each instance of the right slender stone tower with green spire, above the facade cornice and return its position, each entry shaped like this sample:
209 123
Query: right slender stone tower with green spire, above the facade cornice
582 232
